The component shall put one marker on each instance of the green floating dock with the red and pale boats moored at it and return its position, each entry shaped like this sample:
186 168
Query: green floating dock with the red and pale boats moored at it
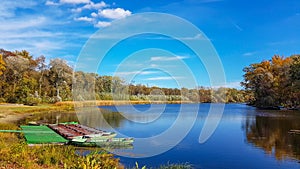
76 134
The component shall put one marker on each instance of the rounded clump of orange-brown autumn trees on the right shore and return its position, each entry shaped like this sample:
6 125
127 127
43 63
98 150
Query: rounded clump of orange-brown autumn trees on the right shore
275 82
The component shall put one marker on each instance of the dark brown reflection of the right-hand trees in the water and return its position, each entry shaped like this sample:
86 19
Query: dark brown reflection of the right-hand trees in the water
270 131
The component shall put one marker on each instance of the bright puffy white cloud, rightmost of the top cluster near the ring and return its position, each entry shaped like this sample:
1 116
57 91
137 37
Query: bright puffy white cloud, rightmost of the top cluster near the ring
117 13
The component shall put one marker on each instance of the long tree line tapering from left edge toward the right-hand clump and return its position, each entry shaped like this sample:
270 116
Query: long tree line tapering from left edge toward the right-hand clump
29 80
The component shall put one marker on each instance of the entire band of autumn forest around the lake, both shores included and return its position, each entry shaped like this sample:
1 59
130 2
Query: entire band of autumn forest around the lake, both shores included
28 80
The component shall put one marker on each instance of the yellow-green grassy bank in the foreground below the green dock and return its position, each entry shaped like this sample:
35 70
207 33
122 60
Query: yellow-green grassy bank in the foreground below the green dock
14 153
